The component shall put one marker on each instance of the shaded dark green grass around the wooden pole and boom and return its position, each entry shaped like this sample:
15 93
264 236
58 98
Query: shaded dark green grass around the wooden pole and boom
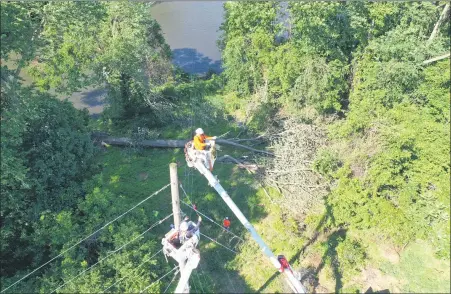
130 175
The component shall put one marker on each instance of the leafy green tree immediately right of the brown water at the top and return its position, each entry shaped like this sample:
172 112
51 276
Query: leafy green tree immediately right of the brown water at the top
247 40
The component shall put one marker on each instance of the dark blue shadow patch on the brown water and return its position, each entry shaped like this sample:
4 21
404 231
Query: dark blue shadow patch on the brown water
191 61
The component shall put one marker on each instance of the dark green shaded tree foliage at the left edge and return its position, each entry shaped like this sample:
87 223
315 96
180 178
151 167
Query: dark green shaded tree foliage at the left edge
46 154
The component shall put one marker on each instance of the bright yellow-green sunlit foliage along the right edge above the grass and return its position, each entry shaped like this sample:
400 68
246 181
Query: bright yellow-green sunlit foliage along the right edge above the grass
404 190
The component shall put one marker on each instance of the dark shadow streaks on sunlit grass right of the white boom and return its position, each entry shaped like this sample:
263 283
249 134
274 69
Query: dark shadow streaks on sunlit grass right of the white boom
309 272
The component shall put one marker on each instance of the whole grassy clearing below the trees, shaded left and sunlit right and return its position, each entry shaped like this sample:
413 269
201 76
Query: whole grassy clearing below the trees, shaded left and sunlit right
132 174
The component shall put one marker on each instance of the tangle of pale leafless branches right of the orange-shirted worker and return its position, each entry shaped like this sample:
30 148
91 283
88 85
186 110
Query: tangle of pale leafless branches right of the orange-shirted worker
290 170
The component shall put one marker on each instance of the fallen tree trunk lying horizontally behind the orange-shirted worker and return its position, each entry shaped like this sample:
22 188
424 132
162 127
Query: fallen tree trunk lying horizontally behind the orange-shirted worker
170 144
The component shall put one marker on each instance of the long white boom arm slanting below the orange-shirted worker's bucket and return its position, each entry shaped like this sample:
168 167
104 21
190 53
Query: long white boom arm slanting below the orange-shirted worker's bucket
294 283
